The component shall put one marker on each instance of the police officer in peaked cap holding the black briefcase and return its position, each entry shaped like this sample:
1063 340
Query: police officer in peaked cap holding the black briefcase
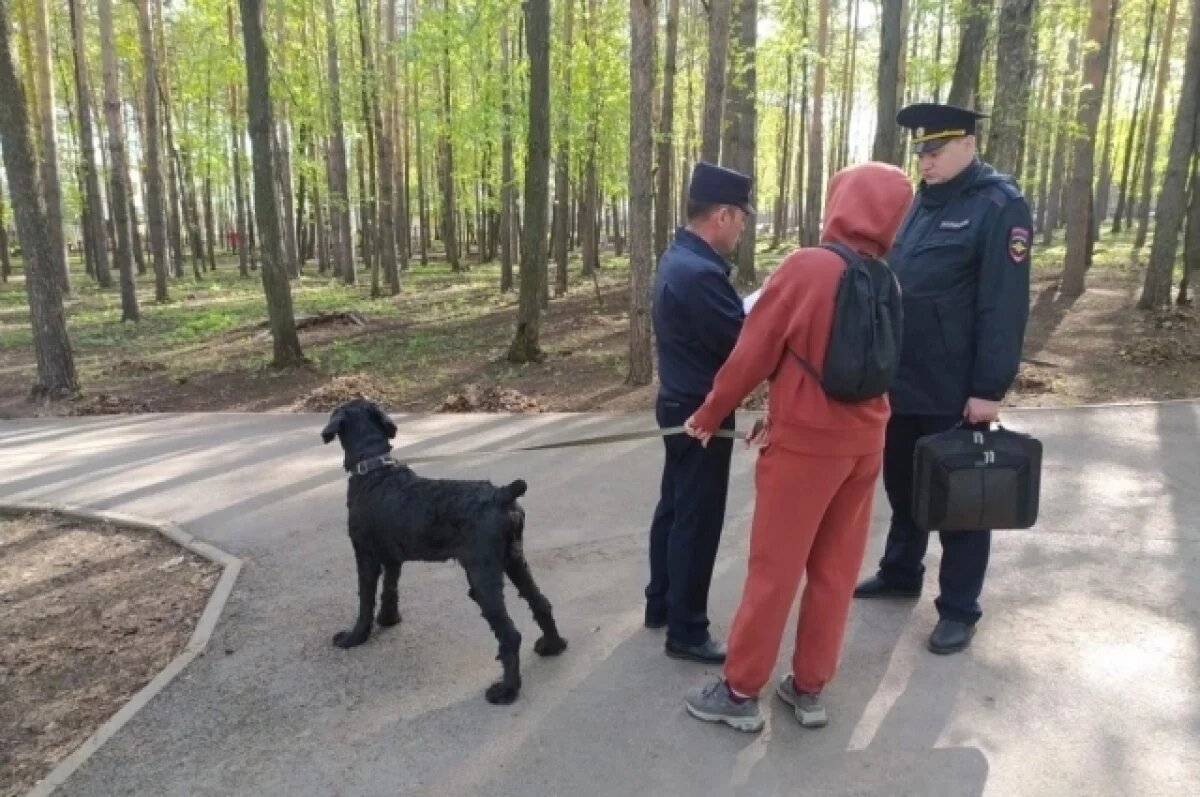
963 260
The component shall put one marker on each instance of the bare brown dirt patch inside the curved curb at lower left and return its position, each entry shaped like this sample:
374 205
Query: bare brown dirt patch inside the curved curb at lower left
91 614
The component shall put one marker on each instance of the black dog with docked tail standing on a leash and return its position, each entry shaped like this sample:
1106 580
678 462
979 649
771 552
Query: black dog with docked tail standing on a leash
398 517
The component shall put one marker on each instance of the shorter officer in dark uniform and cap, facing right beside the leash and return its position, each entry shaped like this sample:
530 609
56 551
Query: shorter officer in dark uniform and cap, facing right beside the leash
698 317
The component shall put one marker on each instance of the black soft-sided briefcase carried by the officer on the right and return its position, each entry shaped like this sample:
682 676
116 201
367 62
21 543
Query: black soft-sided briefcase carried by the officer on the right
967 481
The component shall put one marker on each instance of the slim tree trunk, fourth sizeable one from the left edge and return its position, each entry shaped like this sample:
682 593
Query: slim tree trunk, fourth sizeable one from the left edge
119 170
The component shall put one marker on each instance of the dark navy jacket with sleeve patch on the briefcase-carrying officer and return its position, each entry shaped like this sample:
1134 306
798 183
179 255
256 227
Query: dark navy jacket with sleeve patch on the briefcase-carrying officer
963 261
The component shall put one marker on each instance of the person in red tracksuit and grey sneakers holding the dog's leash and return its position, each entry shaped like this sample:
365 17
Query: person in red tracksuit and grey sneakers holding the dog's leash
818 468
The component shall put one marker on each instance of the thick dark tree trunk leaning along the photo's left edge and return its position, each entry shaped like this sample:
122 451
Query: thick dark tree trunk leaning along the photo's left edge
52 347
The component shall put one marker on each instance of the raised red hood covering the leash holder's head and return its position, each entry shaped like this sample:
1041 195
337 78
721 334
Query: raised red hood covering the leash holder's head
866 207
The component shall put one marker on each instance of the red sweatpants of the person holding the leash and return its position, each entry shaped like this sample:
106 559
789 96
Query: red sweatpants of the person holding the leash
812 517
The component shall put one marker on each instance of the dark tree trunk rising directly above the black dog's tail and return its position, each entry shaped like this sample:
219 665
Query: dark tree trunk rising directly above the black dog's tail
525 347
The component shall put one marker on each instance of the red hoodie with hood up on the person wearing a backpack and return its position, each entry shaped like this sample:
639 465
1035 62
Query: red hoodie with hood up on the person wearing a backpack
795 313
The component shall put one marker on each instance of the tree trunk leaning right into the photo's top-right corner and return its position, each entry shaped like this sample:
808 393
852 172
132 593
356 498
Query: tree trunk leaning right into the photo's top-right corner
1169 214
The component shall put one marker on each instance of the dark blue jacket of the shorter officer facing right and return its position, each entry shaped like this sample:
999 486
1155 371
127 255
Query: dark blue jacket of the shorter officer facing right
698 316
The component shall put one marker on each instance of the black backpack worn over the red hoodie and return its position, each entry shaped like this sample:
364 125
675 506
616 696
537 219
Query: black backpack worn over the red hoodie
865 339
